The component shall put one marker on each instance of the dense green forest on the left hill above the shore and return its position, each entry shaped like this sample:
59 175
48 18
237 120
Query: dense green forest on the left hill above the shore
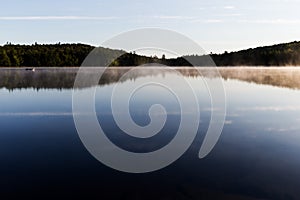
46 55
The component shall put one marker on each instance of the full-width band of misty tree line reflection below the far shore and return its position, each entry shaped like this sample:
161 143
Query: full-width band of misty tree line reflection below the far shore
63 78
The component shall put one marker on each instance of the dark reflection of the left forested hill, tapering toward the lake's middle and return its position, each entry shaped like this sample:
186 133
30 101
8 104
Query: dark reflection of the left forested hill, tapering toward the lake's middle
56 78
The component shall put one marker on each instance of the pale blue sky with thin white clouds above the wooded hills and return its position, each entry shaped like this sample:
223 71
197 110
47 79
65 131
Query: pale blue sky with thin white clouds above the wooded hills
216 25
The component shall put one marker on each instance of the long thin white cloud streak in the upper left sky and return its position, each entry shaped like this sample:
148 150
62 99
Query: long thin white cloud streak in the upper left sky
55 18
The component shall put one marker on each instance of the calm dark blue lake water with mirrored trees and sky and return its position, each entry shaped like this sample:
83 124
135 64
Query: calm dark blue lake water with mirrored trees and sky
256 157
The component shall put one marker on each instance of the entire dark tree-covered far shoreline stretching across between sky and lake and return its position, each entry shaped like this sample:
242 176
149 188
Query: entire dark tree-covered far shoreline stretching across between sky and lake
72 55
